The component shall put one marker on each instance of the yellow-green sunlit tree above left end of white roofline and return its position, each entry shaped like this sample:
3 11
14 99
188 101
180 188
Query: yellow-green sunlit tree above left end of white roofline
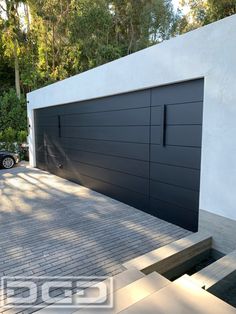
55 54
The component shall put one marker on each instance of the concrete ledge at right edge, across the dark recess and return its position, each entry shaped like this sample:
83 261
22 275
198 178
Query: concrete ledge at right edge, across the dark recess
217 275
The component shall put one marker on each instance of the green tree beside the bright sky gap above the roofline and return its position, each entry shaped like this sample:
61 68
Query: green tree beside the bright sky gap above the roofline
138 24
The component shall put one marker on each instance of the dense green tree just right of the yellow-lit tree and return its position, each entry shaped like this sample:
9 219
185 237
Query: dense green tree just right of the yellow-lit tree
91 33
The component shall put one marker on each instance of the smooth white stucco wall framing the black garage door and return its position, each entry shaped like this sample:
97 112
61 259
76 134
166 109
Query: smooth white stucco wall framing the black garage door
208 52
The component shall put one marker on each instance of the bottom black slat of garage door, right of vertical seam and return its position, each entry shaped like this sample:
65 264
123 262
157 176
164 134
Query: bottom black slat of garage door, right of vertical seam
186 218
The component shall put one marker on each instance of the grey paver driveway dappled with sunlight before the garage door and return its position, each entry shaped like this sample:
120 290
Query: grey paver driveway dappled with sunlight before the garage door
50 226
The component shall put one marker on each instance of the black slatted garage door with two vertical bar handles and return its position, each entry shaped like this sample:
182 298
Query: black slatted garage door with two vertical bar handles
142 148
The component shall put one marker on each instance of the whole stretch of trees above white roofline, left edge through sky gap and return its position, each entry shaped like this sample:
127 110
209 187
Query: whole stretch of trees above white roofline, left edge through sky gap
49 40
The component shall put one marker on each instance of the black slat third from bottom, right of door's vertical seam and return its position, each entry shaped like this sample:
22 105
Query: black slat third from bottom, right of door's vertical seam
183 177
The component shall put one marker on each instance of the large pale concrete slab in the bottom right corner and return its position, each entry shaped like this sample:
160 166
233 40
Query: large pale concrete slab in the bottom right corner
182 296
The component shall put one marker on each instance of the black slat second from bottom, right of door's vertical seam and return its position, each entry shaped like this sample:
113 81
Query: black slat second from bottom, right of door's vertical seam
175 195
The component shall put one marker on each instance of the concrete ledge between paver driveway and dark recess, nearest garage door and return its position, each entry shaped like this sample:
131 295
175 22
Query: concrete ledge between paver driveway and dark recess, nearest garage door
173 255
